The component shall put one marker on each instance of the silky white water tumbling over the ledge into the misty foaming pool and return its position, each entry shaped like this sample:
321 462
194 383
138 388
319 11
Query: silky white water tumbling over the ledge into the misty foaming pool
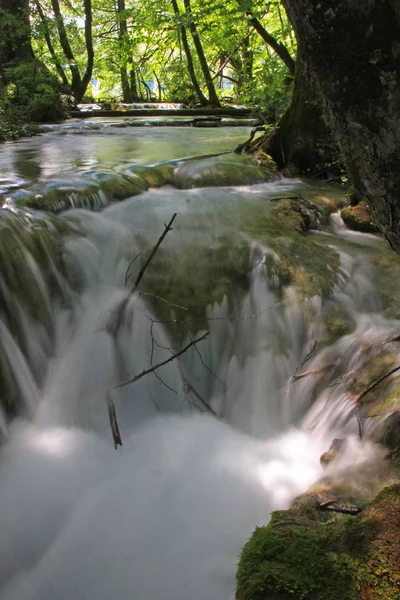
167 514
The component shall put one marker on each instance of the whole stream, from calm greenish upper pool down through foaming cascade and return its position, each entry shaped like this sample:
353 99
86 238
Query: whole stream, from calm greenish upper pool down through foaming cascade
164 517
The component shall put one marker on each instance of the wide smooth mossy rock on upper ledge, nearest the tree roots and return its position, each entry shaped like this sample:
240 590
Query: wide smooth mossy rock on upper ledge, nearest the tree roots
225 170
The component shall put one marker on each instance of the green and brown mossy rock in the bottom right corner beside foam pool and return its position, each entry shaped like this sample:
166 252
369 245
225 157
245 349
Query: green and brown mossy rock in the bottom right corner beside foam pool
341 558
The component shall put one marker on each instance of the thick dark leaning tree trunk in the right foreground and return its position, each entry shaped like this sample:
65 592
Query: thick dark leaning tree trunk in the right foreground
351 51
